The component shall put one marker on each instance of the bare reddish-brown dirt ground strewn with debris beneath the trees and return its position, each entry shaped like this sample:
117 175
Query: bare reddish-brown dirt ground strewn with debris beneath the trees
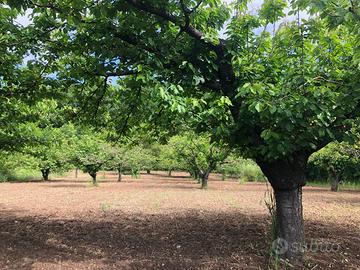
161 222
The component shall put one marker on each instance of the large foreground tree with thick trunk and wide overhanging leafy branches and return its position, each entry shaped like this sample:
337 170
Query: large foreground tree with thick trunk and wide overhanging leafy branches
286 94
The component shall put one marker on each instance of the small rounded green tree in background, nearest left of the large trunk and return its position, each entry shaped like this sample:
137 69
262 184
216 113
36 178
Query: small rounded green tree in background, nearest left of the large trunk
199 154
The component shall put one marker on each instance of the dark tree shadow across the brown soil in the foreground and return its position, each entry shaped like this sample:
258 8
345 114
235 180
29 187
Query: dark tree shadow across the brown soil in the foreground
193 240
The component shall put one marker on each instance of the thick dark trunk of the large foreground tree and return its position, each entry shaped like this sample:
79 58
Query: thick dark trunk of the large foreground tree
287 177
